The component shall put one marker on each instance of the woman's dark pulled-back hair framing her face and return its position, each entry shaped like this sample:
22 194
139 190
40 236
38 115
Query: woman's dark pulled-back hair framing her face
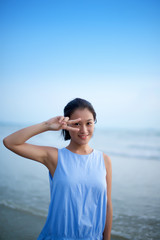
71 107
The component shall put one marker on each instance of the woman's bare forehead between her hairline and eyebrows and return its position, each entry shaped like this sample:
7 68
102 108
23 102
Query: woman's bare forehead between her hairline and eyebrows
84 114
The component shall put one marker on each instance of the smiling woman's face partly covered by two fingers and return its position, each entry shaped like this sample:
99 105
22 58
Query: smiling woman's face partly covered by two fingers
85 126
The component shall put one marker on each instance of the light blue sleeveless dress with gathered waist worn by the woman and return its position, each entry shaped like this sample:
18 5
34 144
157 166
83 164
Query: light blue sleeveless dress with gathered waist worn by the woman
78 188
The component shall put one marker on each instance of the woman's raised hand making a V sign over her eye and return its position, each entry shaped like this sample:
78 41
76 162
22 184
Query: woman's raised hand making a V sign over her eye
60 122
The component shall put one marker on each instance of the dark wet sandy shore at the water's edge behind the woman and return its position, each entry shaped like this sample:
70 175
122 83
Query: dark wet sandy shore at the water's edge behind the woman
17 224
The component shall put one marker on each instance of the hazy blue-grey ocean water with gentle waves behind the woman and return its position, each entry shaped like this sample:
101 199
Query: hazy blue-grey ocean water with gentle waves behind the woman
135 156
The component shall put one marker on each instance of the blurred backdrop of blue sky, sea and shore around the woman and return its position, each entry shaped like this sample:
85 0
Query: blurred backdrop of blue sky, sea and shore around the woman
107 52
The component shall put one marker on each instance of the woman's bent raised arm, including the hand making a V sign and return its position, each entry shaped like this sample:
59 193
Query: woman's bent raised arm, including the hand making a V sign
16 142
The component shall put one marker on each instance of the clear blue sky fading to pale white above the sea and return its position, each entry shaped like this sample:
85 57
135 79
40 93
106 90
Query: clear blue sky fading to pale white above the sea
107 52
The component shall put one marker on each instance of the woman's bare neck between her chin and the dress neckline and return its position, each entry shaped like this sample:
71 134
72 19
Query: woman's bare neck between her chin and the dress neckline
80 149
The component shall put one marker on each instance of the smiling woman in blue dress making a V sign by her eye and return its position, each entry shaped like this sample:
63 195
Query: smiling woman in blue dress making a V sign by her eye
80 177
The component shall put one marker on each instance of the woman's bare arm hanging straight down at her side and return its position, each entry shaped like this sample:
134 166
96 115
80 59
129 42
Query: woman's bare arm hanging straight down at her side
108 225
